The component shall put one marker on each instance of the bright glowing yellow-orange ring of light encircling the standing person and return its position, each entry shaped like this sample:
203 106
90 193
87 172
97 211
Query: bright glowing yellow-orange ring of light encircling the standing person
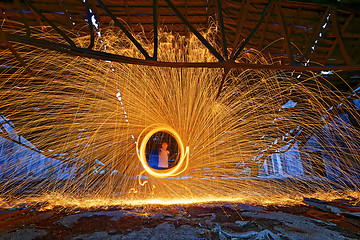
184 152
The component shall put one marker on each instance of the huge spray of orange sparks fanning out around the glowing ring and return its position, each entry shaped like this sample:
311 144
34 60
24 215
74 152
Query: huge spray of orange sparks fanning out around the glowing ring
101 122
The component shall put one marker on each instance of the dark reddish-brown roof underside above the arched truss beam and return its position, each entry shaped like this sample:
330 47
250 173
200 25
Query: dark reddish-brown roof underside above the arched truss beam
243 24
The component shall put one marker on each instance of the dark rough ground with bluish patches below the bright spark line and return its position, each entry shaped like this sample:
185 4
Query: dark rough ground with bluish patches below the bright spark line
312 220
